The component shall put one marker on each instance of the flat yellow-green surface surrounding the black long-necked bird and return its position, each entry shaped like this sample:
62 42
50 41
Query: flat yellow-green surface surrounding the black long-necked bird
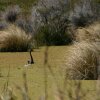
13 64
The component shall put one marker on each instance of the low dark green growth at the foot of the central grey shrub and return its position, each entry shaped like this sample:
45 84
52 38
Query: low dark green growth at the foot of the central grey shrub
48 35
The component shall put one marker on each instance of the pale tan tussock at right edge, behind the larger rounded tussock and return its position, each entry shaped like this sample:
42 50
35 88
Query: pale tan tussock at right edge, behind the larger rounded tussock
91 33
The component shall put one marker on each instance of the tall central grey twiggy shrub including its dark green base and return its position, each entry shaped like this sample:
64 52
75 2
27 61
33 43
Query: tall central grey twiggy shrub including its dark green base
51 21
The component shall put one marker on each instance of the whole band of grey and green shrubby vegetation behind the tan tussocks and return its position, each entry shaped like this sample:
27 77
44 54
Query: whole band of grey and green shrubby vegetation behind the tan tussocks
50 22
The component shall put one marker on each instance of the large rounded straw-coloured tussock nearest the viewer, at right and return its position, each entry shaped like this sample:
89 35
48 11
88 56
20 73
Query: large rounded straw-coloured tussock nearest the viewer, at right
82 61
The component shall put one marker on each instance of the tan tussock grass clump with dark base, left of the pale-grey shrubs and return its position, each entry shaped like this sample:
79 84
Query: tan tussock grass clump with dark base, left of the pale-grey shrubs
14 39
